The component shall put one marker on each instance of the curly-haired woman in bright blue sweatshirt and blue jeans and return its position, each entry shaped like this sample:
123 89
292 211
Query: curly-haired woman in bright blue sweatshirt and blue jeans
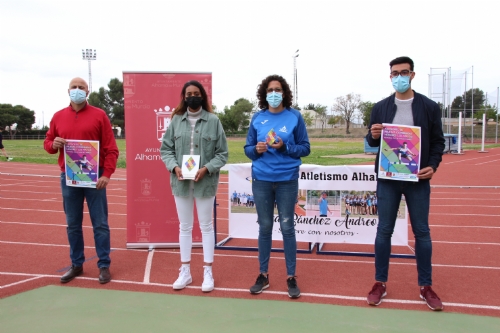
276 140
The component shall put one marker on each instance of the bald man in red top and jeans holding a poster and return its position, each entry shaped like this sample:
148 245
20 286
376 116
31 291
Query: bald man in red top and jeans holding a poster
81 121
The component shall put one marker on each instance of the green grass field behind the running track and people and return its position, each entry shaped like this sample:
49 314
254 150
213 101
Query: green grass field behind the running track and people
323 151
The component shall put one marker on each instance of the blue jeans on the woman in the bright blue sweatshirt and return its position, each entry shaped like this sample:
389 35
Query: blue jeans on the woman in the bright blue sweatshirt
285 195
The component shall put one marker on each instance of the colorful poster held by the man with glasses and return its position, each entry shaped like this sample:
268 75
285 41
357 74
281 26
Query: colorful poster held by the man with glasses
399 153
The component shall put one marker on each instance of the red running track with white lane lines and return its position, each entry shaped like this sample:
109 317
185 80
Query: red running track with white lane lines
465 209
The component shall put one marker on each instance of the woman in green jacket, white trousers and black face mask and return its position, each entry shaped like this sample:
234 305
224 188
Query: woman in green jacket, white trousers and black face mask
195 130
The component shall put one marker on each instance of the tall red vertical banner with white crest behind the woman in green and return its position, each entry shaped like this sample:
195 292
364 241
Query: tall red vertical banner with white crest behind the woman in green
150 98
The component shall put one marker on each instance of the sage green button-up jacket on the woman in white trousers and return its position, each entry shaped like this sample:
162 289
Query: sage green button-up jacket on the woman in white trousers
209 141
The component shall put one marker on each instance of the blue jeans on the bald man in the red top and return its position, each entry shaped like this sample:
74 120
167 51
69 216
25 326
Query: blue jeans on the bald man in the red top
98 209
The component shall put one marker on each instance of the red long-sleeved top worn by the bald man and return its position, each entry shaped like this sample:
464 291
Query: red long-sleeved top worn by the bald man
90 123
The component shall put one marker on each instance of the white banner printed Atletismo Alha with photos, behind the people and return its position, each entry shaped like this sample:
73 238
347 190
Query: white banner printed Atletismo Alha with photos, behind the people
335 204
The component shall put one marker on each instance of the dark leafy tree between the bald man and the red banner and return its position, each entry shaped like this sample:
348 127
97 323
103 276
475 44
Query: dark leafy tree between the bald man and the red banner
111 101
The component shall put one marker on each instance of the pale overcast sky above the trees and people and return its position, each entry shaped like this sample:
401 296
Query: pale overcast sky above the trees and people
345 46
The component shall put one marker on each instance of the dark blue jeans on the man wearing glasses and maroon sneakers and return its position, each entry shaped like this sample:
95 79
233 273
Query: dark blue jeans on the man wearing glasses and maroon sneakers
417 196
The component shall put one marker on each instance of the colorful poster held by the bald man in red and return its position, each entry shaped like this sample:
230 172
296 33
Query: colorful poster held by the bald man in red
82 163
